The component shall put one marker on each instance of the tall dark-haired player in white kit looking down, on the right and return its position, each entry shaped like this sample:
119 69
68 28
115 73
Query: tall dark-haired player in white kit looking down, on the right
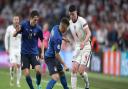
81 57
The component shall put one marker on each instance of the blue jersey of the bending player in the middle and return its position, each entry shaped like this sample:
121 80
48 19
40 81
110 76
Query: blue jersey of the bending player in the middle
55 42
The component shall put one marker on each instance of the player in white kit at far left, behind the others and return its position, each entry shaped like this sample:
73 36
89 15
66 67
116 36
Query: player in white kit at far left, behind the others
13 47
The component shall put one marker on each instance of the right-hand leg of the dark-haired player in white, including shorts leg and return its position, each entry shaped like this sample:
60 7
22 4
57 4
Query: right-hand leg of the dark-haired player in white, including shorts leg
84 67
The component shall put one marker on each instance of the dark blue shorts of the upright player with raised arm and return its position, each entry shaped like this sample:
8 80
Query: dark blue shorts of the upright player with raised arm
28 59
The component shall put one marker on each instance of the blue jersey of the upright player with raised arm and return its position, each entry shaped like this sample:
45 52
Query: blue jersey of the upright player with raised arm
30 36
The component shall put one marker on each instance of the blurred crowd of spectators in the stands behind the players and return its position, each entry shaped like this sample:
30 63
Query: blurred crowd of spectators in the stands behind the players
107 19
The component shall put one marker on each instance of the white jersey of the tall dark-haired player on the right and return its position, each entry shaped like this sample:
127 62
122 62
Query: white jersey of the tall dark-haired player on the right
77 30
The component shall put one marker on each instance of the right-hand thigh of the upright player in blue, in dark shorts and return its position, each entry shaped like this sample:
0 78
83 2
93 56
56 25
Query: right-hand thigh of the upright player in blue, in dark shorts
35 62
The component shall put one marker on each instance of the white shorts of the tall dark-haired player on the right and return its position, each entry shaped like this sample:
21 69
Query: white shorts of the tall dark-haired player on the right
82 56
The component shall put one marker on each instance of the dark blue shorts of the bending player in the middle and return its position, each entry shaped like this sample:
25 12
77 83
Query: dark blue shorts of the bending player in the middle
54 66
